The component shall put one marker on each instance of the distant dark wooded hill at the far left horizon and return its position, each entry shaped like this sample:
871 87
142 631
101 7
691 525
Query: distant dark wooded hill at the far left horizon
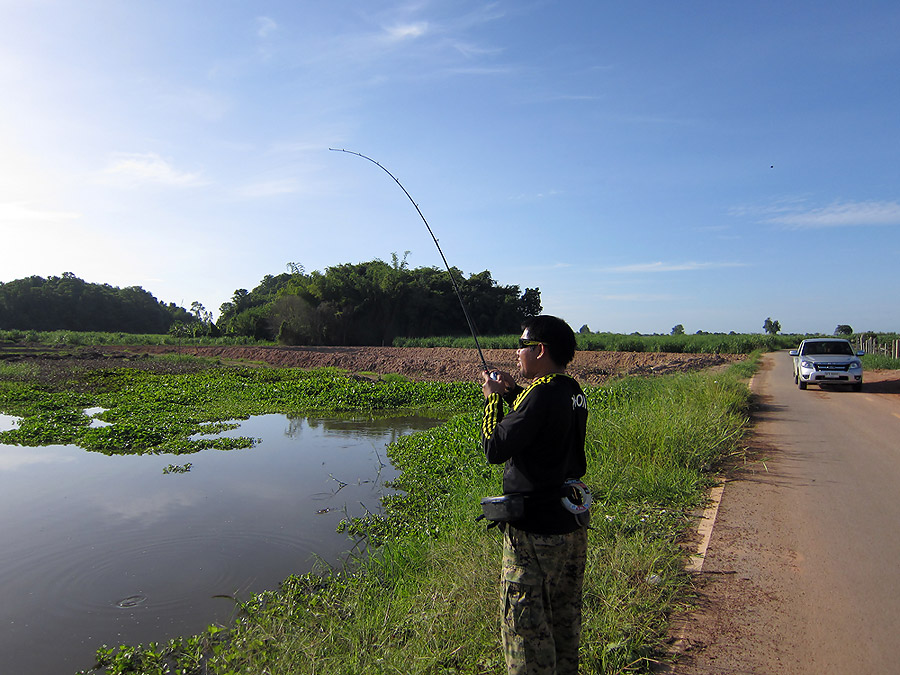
70 303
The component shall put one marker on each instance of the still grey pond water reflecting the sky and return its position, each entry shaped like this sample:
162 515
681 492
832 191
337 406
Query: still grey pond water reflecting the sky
131 549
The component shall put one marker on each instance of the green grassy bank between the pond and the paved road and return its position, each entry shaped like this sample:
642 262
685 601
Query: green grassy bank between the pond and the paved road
427 601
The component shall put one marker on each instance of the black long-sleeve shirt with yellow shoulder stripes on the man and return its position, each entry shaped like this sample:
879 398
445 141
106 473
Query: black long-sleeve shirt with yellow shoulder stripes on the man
541 442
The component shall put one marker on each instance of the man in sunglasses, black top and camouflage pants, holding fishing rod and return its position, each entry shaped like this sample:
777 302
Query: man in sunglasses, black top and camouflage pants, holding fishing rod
541 442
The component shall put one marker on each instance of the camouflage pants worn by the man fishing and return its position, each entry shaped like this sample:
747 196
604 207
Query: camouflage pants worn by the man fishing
540 587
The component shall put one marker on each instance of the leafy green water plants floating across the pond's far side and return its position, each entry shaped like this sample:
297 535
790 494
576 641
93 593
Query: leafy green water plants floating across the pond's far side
149 412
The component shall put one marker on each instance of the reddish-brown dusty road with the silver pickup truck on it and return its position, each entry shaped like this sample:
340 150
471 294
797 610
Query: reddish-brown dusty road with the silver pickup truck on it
802 574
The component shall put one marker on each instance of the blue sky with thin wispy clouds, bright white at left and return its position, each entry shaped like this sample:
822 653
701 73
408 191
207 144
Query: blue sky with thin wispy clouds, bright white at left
645 164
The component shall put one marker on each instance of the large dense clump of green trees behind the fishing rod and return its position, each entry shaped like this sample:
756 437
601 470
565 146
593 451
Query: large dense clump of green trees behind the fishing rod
371 303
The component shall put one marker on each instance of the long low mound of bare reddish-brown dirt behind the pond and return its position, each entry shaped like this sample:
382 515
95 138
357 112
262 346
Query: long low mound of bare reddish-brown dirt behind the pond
441 364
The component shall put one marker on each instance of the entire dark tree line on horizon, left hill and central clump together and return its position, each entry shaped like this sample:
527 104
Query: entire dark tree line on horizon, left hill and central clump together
367 303
